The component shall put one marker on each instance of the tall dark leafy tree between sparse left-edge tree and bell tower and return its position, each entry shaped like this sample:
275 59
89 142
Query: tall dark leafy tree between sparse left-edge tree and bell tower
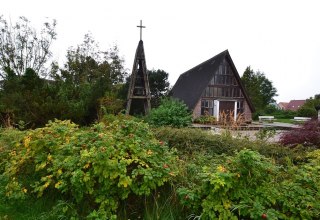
88 75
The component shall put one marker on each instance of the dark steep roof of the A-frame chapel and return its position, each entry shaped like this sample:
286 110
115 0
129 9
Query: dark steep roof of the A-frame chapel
191 84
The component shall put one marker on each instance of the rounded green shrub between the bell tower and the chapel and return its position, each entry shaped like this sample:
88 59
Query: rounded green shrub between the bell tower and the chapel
171 112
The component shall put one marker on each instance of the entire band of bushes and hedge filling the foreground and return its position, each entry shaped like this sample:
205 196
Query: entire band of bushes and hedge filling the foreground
114 169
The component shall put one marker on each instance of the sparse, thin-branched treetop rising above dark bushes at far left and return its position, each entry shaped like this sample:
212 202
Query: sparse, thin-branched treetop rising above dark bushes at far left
22 47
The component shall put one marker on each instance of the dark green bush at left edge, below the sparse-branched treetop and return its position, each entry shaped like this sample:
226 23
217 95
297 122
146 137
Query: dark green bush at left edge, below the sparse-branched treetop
27 99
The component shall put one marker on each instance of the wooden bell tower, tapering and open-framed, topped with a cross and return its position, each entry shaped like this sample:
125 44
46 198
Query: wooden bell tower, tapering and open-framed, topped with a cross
139 91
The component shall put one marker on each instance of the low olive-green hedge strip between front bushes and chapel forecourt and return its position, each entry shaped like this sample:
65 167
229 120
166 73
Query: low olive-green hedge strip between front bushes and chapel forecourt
191 140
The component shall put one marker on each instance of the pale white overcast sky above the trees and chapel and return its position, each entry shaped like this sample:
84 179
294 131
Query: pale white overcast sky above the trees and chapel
280 38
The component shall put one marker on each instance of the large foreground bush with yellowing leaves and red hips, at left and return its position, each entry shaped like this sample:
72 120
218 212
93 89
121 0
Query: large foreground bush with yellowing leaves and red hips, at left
92 169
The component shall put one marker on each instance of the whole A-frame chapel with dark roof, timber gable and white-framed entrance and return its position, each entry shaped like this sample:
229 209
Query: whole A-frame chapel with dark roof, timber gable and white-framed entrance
213 87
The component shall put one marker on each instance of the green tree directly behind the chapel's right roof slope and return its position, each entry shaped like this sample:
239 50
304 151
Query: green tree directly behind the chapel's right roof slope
259 88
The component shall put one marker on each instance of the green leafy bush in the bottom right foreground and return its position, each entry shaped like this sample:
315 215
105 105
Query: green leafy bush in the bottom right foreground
251 186
